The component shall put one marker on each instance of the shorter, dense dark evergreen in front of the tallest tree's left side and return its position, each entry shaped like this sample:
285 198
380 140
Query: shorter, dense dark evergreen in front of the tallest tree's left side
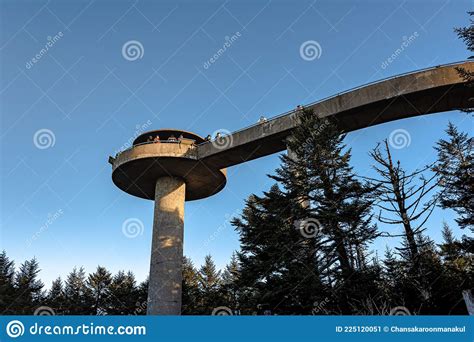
279 266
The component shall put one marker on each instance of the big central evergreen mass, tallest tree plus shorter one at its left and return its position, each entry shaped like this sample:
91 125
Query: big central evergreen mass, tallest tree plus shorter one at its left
308 244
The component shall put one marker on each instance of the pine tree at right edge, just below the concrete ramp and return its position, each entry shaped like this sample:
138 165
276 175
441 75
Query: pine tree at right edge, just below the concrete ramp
455 168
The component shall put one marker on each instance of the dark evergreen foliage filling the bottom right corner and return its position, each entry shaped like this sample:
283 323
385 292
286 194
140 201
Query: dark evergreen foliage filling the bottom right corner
436 286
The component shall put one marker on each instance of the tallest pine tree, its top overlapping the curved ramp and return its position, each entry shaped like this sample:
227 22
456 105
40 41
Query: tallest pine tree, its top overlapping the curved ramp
339 203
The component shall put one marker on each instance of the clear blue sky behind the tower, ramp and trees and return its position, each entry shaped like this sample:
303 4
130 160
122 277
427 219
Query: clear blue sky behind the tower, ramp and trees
93 99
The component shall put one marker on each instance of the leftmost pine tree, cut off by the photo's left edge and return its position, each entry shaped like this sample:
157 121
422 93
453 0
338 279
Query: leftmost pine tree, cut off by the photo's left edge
7 289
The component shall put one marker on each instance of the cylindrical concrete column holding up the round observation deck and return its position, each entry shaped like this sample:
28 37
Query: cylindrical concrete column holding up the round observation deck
164 290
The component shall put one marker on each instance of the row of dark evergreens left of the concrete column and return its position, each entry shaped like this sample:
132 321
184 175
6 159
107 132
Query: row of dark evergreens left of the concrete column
98 294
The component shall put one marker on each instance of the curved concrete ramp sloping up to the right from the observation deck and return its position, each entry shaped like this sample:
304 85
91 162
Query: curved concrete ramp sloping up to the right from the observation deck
427 91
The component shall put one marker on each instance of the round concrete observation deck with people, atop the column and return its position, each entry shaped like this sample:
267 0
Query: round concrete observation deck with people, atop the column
165 153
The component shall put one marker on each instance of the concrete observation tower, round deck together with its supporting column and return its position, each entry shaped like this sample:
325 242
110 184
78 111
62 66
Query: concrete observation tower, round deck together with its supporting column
167 171
